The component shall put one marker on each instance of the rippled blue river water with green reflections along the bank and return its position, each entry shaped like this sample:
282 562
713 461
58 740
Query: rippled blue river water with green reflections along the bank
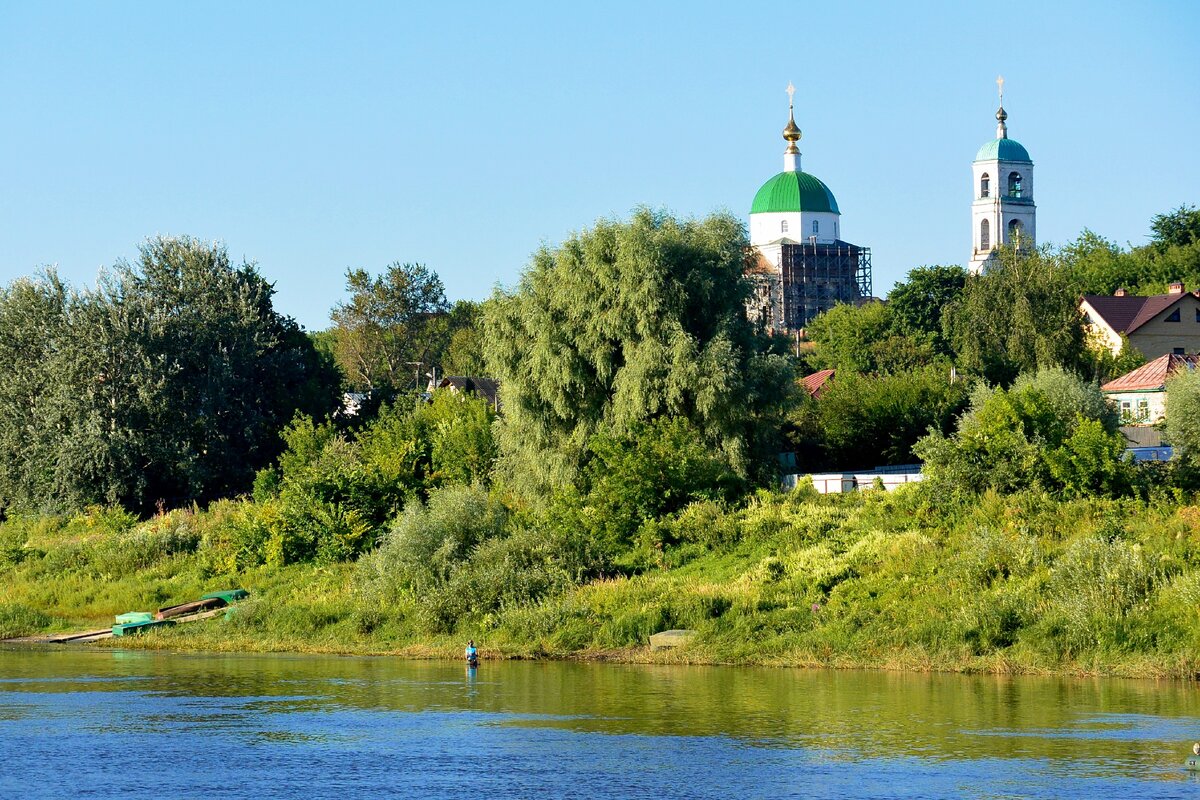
100 723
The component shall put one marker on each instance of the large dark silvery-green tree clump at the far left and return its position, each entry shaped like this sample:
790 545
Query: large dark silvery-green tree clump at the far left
165 384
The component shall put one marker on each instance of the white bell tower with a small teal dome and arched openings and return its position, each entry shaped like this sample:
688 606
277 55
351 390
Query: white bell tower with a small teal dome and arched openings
1004 212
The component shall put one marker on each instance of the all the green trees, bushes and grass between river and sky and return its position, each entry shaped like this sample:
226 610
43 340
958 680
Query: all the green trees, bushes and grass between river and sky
626 486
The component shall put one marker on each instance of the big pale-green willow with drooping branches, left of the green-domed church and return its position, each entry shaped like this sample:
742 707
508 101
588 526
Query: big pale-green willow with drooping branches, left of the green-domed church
623 324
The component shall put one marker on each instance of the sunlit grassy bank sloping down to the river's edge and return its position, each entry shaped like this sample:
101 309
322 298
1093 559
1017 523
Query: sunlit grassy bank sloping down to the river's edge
1019 584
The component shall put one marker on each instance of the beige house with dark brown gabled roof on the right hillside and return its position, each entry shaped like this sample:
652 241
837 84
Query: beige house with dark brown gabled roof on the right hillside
1156 326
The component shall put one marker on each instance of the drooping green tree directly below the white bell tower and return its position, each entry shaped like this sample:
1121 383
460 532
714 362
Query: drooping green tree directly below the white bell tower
1021 315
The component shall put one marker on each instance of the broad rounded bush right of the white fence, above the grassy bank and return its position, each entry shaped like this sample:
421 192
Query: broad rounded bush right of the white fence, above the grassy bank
1037 434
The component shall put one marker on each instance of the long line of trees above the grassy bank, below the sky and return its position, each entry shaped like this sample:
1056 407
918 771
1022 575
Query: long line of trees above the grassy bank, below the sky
625 356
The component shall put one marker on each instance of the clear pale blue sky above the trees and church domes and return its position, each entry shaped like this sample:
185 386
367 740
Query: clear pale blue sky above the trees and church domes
316 137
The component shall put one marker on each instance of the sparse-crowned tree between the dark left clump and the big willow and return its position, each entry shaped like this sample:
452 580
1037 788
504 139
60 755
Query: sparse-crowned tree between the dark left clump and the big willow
392 328
